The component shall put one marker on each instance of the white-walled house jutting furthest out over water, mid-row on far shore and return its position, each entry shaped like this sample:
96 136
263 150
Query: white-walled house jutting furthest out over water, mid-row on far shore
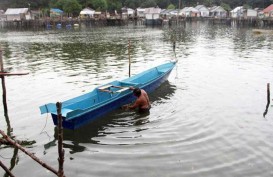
152 16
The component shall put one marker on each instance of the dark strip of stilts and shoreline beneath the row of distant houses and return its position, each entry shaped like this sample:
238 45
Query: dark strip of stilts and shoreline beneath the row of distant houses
76 23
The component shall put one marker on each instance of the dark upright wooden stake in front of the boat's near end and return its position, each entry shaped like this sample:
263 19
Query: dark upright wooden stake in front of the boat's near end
60 140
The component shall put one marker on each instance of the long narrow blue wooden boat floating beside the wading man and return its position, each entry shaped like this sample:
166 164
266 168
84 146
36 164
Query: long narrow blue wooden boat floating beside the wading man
81 110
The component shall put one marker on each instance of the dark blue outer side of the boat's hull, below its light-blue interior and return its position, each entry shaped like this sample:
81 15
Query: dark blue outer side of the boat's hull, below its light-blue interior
90 116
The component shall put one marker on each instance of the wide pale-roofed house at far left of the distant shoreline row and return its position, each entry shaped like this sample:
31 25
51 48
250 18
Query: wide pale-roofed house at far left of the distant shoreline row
13 14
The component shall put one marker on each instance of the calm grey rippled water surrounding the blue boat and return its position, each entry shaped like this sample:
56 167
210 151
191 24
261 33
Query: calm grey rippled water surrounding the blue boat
206 121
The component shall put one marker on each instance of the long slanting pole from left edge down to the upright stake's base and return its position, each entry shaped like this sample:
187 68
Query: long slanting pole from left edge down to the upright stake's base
28 153
